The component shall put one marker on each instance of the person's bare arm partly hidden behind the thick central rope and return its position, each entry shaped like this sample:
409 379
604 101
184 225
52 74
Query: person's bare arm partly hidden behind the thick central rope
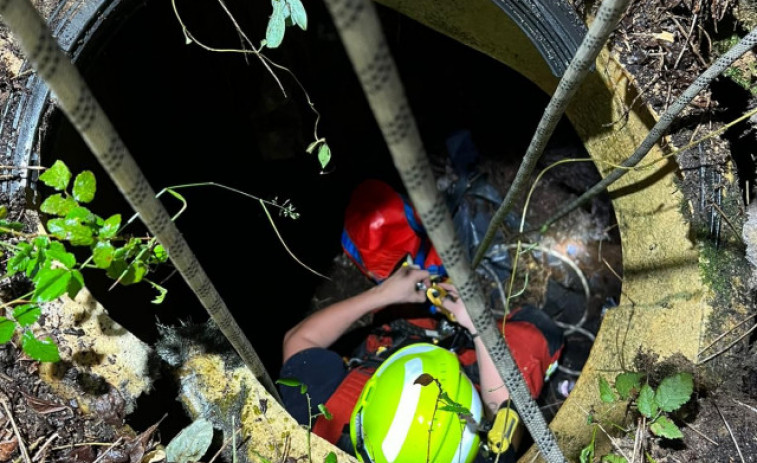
493 390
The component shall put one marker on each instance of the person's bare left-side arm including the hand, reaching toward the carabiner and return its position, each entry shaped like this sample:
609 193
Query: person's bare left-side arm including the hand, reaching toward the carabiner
323 328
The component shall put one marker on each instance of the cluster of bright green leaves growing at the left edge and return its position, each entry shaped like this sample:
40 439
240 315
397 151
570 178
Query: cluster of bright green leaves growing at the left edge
53 270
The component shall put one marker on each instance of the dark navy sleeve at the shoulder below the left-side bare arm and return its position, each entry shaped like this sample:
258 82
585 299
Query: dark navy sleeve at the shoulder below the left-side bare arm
322 370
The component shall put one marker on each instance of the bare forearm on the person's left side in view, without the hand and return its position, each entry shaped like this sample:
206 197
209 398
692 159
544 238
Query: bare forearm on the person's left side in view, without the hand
324 327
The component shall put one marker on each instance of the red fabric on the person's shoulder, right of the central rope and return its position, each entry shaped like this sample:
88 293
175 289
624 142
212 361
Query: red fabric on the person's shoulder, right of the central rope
530 352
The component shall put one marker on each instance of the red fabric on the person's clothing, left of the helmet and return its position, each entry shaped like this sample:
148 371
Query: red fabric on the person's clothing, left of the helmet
341 403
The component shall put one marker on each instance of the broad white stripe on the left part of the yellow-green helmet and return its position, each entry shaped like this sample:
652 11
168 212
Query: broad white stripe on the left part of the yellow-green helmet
405 412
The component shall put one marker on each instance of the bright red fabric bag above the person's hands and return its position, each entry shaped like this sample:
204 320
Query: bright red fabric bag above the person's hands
376 222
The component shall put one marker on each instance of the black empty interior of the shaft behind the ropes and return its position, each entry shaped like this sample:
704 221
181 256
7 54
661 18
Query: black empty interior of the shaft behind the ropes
189 115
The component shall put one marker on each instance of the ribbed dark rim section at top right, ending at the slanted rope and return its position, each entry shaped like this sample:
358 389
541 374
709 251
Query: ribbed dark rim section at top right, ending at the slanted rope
553 26
